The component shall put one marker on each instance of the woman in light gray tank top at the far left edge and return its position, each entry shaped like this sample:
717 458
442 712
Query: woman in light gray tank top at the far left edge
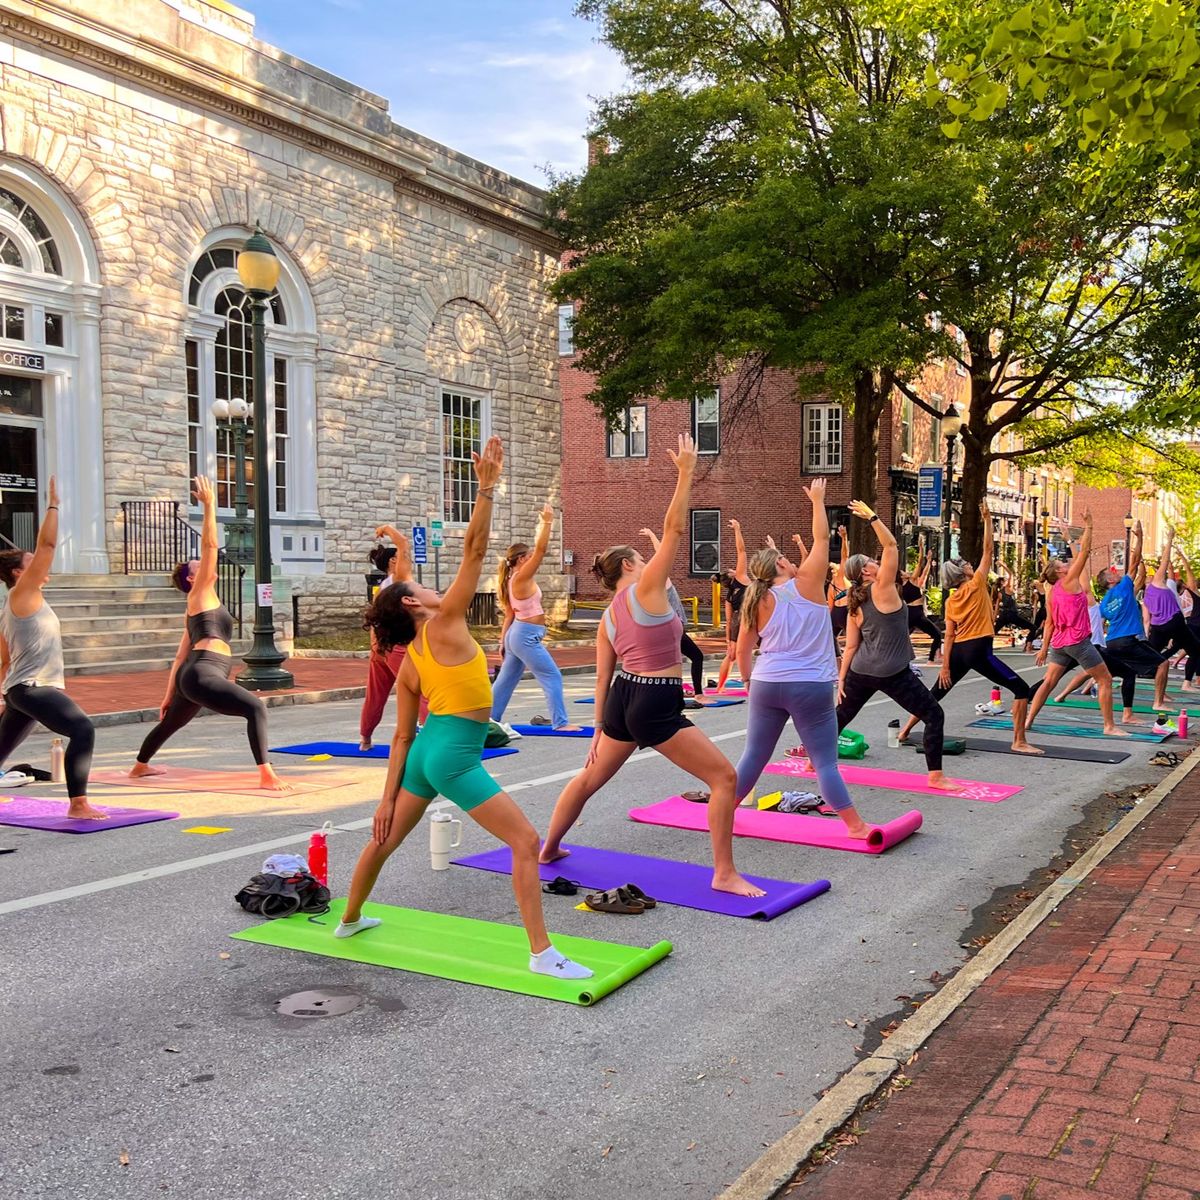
32 662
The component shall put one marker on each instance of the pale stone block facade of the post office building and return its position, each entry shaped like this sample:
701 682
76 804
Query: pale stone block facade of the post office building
166 129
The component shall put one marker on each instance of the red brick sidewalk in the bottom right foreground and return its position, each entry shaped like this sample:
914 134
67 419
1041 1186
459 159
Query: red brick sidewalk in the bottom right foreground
1072 1073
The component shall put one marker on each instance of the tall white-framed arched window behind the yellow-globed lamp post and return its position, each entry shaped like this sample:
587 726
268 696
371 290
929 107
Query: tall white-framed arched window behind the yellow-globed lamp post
219 359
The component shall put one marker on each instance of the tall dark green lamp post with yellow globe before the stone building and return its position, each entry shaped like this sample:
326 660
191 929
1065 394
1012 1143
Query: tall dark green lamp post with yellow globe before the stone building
260 272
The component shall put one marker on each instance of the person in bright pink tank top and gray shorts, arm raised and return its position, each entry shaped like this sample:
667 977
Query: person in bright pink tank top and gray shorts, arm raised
1069 635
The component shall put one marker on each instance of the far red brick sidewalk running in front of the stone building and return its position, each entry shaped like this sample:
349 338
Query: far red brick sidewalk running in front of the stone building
143 691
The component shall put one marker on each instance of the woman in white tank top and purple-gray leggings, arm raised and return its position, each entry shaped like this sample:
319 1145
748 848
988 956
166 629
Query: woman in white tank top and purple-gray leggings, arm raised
796 673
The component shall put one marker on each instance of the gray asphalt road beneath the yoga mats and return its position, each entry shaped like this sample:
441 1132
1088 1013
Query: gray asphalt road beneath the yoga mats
143 1055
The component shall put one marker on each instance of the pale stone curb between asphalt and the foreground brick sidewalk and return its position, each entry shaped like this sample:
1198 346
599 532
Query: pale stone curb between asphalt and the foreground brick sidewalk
776 1167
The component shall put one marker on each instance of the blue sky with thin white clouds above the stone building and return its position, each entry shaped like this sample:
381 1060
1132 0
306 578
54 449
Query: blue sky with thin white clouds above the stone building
508 82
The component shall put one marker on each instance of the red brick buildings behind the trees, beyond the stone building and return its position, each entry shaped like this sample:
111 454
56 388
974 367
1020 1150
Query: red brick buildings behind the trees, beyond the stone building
753 470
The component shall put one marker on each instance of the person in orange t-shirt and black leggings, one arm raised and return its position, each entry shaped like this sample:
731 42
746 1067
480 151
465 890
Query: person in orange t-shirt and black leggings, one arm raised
969 634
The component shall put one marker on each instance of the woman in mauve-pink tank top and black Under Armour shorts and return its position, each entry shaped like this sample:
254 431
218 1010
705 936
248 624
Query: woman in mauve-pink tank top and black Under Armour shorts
641 705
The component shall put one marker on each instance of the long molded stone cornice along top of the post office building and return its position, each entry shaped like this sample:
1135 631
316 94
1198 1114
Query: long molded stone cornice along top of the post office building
410 166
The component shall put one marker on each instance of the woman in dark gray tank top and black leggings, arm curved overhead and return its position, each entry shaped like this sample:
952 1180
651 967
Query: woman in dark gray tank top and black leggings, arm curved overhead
879 651
